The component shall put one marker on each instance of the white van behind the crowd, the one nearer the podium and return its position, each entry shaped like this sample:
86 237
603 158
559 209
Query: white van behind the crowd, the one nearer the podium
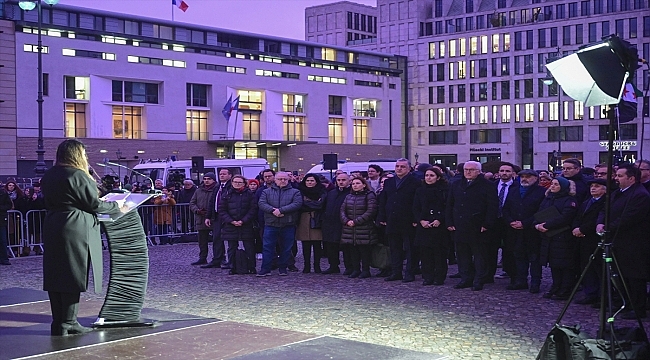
177 171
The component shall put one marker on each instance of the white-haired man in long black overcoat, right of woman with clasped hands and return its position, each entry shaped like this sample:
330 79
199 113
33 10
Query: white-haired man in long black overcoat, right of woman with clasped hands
472 208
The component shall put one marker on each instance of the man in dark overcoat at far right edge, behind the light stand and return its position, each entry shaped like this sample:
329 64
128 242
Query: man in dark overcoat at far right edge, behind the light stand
629 229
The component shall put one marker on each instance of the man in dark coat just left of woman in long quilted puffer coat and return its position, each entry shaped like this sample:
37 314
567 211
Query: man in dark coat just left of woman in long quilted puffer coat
332 226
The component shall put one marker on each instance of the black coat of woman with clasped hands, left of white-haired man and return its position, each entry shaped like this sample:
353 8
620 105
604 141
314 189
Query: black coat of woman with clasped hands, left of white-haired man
429 204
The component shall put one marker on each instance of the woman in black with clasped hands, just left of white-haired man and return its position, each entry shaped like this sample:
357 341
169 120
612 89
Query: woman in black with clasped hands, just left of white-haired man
431 234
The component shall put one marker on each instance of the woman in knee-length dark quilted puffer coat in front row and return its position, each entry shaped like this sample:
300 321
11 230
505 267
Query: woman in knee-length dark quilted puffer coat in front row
358 213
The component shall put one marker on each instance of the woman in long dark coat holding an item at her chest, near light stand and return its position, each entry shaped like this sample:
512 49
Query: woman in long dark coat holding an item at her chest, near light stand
559 250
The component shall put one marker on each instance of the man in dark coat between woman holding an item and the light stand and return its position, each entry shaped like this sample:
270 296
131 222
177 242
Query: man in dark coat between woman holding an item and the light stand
584 228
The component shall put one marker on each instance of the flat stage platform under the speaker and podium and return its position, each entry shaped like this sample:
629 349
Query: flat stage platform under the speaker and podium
25 332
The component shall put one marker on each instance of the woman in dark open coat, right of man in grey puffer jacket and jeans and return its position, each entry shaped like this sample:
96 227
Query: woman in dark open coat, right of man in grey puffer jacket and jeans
309 226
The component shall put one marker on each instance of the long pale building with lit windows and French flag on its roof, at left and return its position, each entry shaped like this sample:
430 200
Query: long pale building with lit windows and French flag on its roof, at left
133 88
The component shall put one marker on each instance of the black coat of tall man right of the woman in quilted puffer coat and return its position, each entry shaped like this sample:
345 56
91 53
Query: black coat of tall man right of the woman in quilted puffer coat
396 203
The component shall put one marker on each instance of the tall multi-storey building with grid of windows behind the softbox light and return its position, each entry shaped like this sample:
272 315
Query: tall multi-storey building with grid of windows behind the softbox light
476 71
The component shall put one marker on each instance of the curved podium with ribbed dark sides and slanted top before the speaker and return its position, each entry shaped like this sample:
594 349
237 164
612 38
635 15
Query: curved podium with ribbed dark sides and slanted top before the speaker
129 264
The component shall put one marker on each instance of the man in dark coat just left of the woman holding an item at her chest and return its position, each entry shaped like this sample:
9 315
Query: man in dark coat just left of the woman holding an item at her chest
520 206
